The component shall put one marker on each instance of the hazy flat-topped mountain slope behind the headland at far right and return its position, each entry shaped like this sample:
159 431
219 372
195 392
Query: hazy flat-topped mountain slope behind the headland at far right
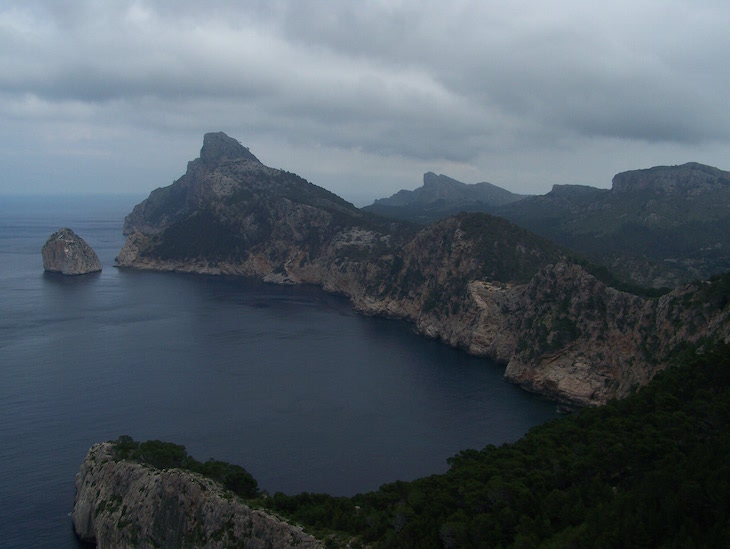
658 227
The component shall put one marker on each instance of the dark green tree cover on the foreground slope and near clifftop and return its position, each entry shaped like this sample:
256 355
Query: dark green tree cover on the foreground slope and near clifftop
647 471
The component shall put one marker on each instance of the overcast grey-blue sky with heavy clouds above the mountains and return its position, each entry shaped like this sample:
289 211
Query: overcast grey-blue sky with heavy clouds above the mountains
361 97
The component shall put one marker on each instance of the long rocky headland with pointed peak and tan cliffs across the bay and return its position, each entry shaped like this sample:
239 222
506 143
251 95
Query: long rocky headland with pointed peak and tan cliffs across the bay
474 281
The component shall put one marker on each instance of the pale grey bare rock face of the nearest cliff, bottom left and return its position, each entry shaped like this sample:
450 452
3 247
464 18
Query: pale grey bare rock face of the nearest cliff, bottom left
126 504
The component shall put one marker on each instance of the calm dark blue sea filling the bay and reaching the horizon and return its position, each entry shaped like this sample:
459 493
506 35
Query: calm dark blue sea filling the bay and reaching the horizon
290 383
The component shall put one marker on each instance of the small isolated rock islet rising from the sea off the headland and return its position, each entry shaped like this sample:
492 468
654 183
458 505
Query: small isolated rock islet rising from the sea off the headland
67 253
